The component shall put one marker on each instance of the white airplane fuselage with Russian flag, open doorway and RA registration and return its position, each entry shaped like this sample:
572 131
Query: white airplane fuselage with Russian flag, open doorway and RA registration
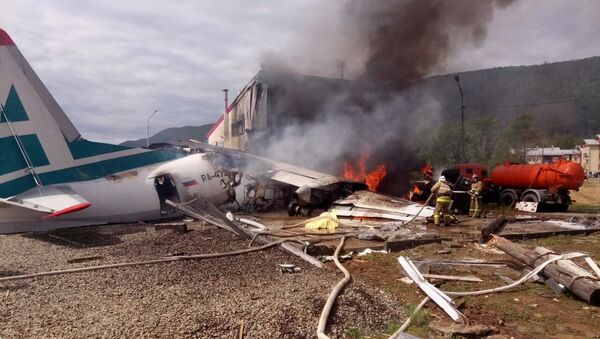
128 196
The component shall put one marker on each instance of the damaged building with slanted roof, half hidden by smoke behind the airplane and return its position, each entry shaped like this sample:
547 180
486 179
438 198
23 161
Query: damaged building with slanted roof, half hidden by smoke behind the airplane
272 99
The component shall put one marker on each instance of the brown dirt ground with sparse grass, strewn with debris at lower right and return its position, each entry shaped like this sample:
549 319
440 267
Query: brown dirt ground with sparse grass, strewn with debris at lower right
529 311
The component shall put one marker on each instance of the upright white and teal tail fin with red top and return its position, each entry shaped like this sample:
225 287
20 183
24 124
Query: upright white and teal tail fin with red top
39 145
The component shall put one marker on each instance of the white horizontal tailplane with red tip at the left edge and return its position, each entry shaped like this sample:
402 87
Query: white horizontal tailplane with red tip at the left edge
49 201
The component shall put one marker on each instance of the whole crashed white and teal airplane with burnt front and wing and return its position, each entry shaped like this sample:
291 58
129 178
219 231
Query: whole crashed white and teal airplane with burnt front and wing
51 177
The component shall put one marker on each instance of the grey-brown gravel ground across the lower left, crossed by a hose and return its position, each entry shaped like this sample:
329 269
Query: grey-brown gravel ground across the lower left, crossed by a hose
207 298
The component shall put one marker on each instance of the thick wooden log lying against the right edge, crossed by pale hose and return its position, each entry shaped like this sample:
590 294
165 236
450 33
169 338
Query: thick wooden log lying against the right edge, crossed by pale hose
575 278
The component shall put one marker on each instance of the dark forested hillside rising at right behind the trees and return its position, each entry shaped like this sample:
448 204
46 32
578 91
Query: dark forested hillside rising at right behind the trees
563 97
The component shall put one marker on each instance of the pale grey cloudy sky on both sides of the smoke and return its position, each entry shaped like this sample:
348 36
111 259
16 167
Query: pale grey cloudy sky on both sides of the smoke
110 64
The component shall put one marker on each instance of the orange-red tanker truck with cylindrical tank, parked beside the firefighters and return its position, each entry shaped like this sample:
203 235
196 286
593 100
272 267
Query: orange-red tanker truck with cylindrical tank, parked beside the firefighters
545 184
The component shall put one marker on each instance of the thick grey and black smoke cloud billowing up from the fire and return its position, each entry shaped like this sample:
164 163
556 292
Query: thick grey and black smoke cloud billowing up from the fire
386 47
